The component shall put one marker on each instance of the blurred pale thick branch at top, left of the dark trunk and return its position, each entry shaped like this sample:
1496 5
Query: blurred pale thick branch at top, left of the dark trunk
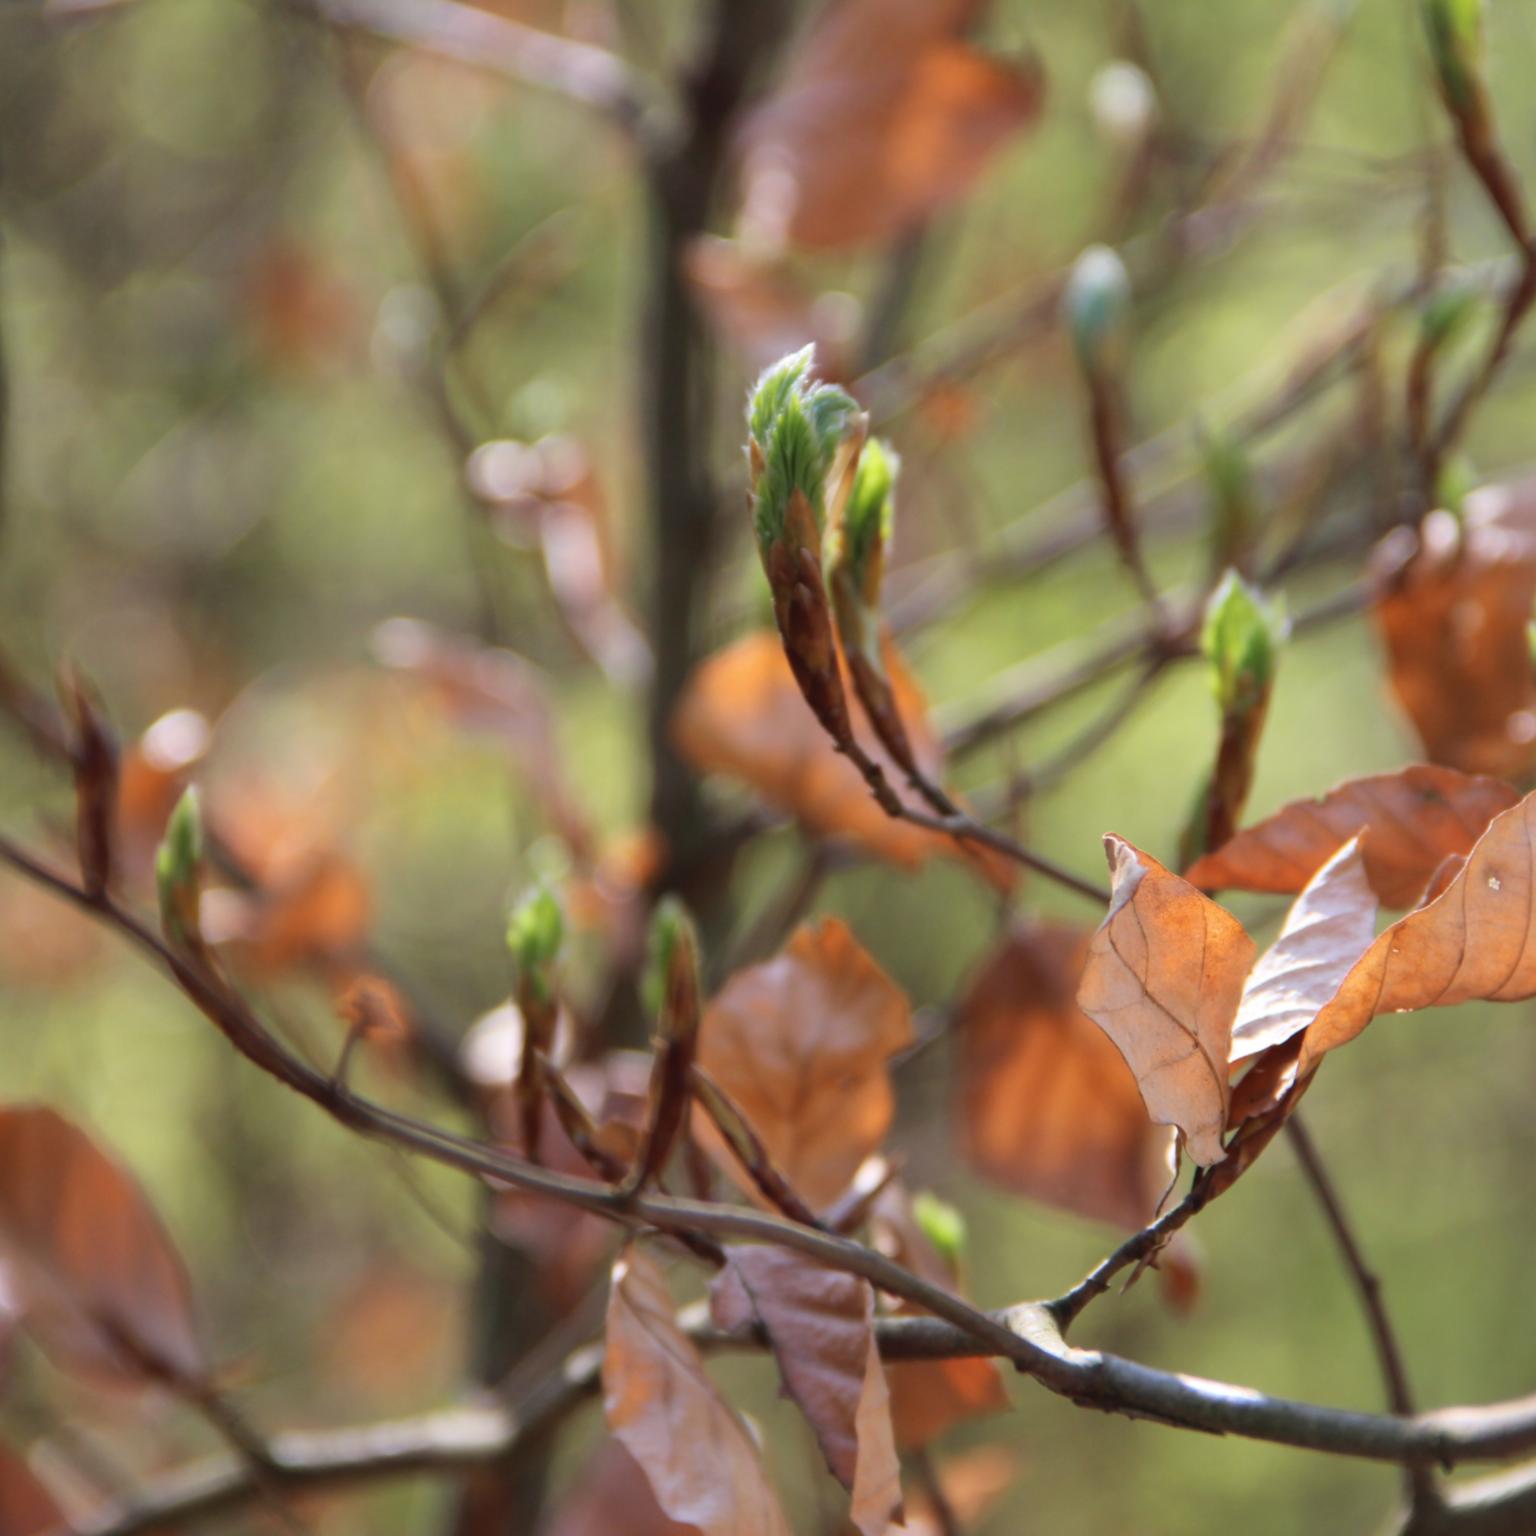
588 76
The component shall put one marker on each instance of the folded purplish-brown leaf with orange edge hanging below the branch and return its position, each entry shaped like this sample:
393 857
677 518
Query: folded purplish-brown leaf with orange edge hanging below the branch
821 1326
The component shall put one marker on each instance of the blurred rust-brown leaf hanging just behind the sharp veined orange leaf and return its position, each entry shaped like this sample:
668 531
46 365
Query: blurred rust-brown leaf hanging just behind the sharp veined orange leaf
1047 1105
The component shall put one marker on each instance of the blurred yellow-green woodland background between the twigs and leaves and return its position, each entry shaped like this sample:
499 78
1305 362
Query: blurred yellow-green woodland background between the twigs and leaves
188 511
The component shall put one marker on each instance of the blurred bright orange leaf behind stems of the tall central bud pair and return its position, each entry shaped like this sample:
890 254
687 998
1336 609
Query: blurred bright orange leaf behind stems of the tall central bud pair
743 715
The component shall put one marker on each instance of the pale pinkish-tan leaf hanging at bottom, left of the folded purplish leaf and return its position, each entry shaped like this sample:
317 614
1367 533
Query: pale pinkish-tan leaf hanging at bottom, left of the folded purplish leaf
697 1454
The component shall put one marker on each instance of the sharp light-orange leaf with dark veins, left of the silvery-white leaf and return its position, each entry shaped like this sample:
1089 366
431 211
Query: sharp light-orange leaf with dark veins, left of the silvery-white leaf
1164 979
